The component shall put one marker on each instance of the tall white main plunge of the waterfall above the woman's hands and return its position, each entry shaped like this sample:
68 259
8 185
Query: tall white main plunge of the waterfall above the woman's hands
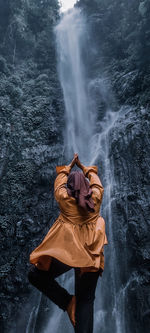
71 41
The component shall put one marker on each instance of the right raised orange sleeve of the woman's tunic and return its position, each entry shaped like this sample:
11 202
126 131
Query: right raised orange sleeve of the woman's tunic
95 183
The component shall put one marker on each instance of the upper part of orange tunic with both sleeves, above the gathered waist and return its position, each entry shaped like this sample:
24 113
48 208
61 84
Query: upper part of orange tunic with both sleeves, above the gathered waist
68 205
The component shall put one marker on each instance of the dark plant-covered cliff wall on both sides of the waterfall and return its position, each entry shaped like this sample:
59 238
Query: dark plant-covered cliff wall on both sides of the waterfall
32 109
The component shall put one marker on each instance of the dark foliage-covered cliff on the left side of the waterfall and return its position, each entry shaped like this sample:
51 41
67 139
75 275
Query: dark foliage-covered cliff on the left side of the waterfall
31 111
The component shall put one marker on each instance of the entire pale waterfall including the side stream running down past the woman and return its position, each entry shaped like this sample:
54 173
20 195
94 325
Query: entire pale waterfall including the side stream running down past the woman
81 135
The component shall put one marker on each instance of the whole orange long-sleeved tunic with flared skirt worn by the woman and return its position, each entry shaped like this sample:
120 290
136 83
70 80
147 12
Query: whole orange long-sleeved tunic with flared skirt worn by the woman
75 239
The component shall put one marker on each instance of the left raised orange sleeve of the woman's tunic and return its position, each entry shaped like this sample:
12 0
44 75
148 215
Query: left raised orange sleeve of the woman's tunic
60 191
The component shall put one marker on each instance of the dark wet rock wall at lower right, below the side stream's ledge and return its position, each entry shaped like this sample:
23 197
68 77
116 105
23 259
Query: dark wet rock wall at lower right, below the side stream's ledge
129 154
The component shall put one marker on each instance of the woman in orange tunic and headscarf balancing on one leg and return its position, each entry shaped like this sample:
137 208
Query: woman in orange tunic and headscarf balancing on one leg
75 240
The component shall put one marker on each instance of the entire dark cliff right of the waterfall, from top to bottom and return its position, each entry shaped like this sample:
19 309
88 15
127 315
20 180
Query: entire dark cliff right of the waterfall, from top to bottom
119 58
